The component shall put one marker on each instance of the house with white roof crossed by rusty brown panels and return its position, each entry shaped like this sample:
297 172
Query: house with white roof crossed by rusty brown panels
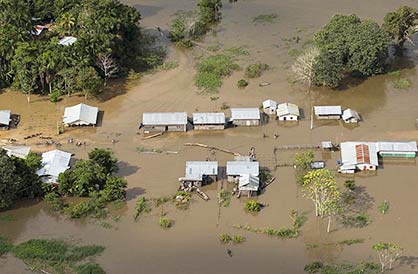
358 156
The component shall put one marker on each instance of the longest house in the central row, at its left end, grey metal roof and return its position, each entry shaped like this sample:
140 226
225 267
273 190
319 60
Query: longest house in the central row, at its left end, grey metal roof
164 121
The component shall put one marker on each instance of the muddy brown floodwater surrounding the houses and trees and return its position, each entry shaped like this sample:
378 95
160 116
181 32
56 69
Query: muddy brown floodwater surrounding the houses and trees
192 245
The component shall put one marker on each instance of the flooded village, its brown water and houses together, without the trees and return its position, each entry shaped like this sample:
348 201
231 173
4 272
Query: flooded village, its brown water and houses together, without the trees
172 138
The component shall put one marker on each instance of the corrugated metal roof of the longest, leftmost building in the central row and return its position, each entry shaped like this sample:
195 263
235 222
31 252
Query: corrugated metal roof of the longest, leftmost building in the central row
164 118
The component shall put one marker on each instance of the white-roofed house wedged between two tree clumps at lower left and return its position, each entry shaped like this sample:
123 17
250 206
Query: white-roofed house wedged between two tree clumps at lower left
54 163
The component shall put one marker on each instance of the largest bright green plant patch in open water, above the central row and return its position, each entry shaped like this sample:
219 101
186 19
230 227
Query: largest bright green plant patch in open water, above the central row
211 71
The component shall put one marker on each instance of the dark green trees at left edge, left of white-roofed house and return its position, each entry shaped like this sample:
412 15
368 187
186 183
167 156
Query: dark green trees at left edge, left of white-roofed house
18 178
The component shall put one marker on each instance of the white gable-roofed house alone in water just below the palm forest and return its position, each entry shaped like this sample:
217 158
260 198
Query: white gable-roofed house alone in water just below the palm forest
80 114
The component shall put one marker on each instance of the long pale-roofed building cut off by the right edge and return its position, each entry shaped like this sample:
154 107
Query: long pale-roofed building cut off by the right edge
397 149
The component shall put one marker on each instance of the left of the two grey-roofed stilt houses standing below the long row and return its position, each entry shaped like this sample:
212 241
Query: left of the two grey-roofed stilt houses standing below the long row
199 173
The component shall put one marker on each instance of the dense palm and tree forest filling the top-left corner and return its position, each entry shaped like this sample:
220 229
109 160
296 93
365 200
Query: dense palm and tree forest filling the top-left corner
109 43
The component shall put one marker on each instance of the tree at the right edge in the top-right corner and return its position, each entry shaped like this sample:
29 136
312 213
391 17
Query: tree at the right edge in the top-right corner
401 24
